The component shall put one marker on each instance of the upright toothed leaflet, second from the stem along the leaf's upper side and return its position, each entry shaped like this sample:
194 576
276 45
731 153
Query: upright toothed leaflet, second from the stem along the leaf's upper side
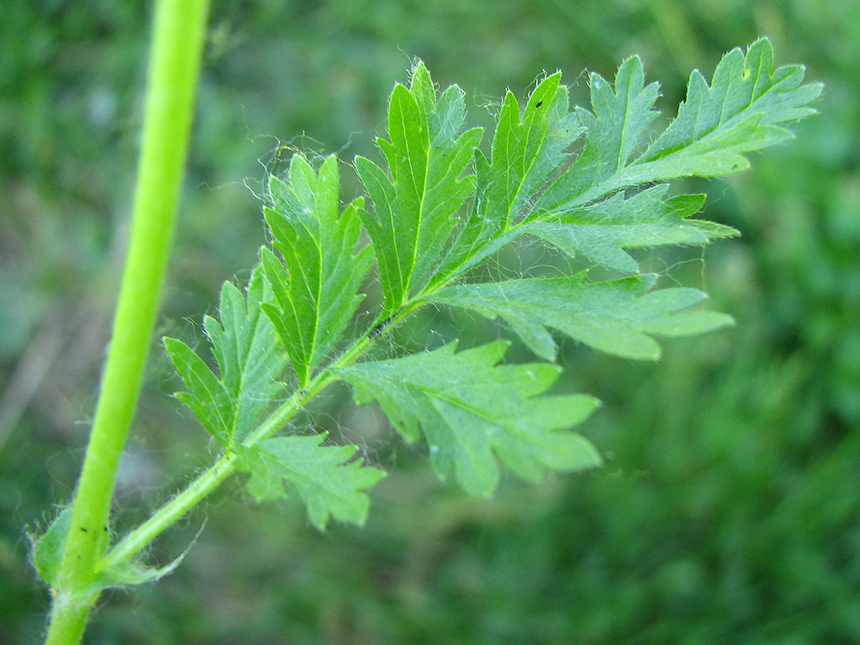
317 293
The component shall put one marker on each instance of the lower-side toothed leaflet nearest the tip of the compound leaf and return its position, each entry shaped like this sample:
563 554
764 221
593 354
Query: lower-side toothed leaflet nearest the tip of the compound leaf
602 230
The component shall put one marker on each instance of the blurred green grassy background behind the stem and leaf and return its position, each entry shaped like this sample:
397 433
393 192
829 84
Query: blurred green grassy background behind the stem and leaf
729 509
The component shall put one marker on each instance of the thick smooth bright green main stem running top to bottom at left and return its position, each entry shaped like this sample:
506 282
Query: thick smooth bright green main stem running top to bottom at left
178 35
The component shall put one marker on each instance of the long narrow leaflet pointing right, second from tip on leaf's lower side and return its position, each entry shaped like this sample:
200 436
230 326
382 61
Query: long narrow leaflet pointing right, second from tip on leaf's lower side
616 317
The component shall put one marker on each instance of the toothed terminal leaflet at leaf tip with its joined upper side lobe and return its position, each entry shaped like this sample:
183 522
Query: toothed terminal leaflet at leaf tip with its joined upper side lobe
716 124
